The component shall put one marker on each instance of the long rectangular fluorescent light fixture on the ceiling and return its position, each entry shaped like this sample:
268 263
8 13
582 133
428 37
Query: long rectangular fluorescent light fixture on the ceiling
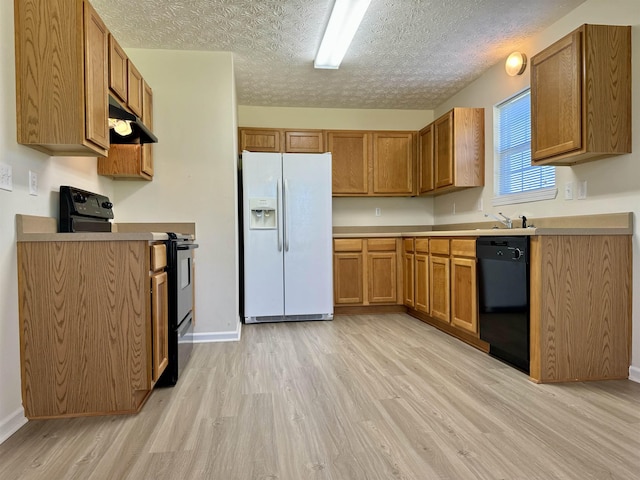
343 24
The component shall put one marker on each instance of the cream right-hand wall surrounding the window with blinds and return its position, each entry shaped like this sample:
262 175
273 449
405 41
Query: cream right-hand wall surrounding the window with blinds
613 184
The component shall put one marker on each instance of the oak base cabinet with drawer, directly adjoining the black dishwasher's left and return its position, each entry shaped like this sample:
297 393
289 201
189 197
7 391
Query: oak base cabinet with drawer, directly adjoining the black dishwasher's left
464 289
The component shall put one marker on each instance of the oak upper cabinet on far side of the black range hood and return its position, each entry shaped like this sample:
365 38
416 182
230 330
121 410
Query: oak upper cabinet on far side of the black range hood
132 161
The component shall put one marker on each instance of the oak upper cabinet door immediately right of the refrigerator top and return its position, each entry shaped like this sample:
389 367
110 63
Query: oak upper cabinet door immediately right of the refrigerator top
350 162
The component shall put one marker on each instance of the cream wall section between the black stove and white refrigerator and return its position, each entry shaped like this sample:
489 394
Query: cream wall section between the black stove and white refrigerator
195 174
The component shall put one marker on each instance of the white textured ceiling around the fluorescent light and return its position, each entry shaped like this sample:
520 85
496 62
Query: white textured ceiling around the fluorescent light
407 54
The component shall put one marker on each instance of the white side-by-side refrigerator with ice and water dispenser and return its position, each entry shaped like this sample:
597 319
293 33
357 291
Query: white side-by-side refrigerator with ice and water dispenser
287 235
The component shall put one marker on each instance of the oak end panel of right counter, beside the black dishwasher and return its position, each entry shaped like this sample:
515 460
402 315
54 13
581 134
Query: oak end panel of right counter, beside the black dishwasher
580 307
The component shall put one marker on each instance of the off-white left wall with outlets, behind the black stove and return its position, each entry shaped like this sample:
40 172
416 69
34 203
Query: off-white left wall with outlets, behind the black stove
52 172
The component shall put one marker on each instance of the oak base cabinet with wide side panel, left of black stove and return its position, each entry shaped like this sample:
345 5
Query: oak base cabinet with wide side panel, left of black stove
93 329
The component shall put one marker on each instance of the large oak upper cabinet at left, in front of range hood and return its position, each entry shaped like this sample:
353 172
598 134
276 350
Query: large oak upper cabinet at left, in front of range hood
61 77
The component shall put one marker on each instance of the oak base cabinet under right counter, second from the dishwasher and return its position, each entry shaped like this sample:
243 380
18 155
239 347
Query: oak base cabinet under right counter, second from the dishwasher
439 279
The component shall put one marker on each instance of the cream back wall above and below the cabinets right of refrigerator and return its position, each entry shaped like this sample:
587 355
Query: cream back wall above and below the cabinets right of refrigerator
354 211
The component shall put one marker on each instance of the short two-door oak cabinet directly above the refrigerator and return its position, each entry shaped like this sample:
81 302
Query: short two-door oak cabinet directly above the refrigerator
280 140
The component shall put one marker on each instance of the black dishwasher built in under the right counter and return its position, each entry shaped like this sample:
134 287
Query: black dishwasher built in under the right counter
503 297
